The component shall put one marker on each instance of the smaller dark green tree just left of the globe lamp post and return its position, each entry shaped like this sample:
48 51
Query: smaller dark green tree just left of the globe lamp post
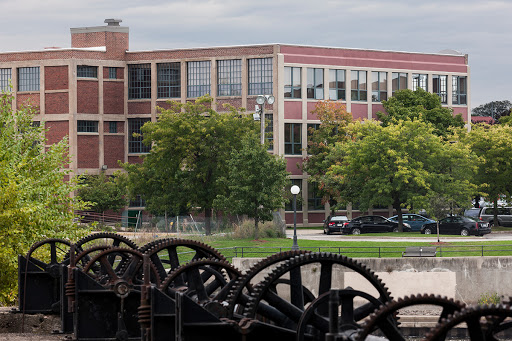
255 180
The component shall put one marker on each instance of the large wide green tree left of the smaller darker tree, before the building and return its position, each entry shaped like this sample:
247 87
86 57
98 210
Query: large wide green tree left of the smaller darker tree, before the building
191 144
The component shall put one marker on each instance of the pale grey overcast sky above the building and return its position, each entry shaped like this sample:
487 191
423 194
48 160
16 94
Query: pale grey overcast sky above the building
480 29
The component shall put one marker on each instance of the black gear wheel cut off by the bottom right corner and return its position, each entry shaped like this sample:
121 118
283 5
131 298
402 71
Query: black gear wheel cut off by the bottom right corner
483 323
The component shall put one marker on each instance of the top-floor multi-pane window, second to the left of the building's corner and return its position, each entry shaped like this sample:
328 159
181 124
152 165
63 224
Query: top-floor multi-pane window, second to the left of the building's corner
229 77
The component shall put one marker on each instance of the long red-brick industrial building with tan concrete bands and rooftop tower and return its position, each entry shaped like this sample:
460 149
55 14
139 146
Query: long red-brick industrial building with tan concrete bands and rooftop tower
98 93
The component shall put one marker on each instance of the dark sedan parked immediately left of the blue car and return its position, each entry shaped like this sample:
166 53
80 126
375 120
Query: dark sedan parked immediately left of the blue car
372 224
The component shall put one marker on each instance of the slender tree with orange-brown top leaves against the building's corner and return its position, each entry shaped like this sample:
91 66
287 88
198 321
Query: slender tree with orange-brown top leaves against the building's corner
334 119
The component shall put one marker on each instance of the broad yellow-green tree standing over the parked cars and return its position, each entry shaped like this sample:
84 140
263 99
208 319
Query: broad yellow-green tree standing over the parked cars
400 165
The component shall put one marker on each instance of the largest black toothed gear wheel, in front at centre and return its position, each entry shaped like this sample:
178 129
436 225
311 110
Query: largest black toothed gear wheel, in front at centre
270 306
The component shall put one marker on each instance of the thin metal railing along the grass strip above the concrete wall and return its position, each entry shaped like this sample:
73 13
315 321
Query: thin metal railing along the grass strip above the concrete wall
373 251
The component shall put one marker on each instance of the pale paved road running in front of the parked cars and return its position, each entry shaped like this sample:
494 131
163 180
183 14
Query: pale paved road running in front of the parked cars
319 235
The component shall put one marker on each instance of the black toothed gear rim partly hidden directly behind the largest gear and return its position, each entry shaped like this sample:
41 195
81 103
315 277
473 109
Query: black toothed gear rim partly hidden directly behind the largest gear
239 295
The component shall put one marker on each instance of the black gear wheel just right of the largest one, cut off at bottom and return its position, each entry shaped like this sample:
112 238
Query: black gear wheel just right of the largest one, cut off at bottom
384 320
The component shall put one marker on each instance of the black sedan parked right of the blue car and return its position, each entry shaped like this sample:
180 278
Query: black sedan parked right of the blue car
464 226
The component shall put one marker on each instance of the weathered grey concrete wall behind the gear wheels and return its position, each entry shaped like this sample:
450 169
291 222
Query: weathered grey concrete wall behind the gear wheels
463 279
